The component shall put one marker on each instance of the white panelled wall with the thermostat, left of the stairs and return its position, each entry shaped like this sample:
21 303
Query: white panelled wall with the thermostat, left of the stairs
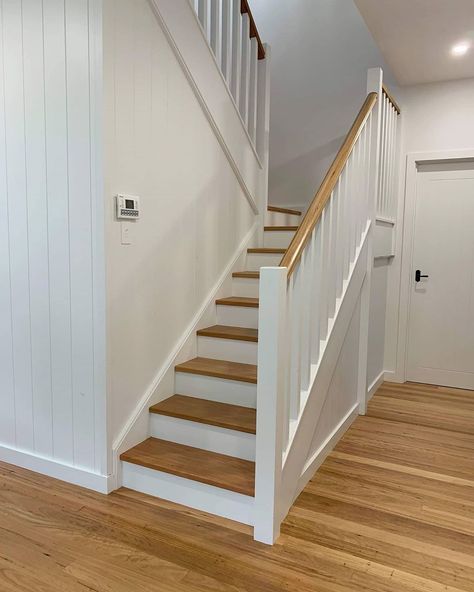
195 214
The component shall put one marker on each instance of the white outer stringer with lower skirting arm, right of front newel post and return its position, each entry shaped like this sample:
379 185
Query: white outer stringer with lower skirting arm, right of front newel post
299 464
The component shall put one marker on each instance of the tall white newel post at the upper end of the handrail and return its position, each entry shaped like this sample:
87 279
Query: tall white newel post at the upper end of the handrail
374 84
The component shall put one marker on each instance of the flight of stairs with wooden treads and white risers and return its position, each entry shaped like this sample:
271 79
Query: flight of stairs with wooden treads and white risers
201 449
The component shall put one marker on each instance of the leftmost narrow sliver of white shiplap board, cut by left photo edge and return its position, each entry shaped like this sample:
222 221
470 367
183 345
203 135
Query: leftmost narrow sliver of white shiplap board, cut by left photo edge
7 392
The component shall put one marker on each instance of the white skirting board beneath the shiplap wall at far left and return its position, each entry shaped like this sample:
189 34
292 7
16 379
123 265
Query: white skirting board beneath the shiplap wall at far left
55 469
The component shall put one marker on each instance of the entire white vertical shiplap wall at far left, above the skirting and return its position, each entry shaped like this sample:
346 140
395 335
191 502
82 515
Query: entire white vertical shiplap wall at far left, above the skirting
52 391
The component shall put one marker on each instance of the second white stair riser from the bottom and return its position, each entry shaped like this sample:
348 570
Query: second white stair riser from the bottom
206 437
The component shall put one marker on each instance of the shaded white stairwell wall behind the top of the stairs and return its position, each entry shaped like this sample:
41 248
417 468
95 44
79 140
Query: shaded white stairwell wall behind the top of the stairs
321 51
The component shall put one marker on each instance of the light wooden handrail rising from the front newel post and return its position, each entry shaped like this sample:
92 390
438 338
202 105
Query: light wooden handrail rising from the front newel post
295 250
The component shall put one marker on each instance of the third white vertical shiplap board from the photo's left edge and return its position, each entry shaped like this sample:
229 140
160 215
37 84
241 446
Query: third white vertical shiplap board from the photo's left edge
35 139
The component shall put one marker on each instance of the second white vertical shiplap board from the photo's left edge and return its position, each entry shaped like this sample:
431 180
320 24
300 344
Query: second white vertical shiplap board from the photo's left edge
18 221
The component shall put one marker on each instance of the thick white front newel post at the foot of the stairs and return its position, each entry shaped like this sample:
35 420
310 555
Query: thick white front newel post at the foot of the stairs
270 394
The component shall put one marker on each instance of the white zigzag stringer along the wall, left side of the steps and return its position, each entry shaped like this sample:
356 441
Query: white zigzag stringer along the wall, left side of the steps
137 428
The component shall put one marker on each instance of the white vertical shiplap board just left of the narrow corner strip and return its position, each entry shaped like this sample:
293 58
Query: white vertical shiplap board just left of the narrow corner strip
80 205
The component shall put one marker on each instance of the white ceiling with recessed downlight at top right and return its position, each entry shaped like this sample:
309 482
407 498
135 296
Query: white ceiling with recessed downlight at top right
416 36
